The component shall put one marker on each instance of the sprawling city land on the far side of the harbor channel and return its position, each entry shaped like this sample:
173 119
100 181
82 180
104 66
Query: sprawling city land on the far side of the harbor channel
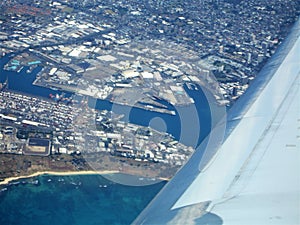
101 49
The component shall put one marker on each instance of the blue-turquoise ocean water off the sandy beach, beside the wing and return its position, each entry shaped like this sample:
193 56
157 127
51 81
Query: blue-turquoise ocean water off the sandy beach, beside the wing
80 199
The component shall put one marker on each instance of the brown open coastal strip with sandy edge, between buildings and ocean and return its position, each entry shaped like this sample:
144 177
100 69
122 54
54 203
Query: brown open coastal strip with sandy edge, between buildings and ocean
61 166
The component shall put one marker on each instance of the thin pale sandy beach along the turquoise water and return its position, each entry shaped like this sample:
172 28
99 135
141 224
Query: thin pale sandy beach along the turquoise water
9 179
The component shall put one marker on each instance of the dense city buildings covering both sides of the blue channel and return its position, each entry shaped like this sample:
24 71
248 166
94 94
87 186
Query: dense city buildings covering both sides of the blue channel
134 53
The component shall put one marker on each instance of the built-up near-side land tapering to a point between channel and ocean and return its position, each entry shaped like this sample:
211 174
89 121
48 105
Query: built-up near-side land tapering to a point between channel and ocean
88 138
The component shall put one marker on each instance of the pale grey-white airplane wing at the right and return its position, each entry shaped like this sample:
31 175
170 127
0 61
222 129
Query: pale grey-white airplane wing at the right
254 175
